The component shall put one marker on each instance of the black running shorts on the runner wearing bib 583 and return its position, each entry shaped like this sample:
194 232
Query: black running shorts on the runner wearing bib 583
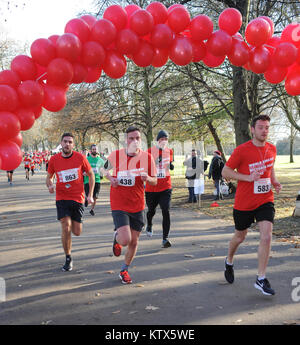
243 219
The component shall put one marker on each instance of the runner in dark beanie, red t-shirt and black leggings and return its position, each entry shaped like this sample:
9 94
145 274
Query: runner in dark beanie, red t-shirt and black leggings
160 194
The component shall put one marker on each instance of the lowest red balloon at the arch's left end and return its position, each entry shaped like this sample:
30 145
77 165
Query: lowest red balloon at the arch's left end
10 155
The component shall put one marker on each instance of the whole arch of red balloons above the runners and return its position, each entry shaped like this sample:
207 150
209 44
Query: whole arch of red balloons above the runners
90 46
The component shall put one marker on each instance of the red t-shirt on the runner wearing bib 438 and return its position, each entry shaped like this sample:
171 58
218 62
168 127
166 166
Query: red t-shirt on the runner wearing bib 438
128 196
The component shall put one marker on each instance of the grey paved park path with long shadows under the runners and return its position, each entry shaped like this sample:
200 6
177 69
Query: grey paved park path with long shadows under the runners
181 285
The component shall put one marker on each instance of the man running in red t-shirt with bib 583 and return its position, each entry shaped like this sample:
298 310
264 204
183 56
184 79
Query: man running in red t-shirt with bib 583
254 199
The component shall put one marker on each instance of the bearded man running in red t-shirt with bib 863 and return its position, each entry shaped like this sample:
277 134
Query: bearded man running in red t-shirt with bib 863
69 166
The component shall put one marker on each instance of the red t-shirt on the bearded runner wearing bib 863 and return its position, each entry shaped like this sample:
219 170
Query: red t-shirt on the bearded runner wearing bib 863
69 175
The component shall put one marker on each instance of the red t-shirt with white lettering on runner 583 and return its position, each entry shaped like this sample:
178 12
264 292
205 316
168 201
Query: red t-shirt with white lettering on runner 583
247 158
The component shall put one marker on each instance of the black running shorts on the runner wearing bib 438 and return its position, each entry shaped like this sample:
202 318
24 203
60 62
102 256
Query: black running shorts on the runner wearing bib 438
136 221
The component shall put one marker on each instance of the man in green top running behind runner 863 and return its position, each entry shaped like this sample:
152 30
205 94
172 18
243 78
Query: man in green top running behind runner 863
96 163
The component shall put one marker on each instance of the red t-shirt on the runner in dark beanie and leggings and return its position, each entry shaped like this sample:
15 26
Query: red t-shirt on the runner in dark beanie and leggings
162 159
